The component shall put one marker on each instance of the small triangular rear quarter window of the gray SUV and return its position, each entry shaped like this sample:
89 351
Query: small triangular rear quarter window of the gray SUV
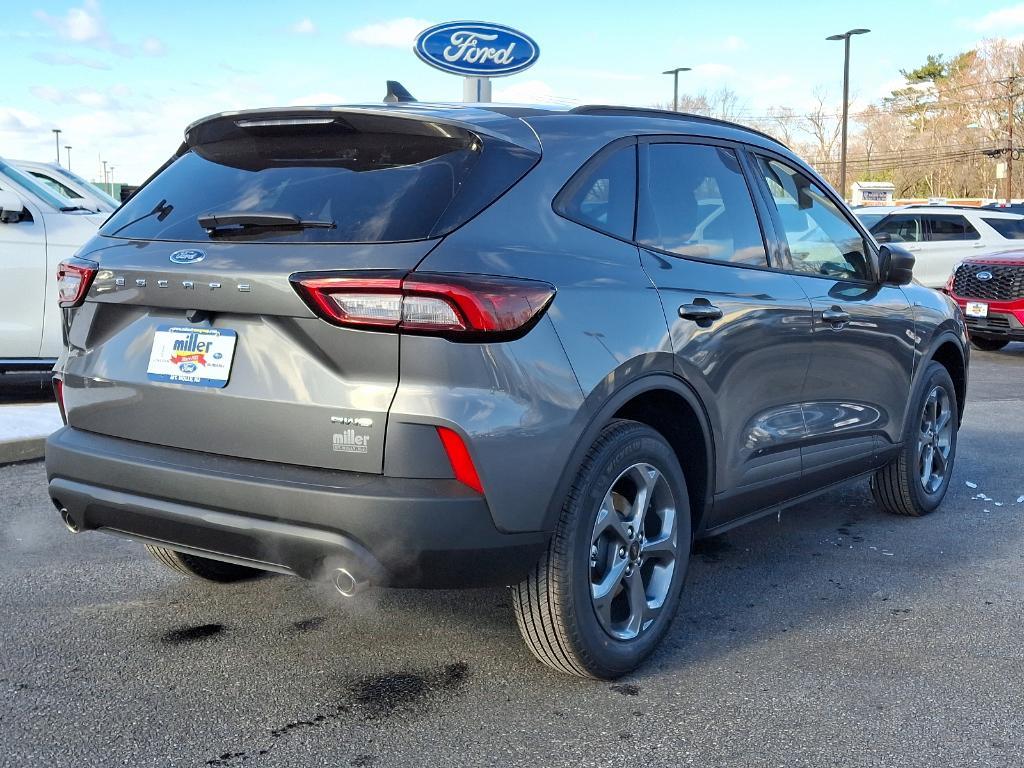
604 195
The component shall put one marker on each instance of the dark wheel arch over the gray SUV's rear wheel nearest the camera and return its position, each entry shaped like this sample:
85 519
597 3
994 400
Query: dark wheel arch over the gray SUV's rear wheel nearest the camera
646 401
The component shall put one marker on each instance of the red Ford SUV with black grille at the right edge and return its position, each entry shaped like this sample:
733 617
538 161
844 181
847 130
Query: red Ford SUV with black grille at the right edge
991 292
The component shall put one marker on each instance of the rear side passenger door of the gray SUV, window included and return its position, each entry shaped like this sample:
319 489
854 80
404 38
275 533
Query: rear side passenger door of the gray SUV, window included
741 331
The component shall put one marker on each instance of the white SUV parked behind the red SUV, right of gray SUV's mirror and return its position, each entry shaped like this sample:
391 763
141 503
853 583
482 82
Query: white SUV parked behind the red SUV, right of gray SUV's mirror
942 237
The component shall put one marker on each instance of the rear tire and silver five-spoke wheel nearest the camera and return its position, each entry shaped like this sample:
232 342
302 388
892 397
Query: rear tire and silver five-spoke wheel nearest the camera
564 624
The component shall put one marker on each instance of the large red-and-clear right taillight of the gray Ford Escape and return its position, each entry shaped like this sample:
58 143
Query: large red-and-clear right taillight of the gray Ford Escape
454 306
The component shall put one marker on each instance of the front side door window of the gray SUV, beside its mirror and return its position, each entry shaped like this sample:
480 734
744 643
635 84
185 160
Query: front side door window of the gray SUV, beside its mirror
822 240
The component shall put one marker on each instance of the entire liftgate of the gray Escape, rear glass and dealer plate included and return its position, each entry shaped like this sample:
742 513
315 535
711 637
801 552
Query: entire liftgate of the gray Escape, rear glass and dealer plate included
193 335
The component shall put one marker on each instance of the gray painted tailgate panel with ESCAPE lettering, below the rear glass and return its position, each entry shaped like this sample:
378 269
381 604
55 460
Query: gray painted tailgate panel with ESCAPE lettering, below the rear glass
300 391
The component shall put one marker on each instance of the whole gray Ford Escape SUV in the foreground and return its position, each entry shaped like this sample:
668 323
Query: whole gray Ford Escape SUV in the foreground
435 346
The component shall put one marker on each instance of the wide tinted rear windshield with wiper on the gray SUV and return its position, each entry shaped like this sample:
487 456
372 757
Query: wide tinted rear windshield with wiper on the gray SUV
411 182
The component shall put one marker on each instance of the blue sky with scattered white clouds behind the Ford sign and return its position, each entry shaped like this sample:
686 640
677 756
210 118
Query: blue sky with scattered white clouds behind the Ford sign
123 79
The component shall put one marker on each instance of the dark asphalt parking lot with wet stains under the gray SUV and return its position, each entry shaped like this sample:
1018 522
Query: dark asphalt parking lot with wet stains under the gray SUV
833 636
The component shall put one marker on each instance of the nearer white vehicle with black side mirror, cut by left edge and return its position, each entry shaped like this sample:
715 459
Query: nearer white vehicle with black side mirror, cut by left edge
38 230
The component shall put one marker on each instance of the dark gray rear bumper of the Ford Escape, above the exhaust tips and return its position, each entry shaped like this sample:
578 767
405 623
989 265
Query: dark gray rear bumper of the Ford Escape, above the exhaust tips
397 532
